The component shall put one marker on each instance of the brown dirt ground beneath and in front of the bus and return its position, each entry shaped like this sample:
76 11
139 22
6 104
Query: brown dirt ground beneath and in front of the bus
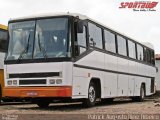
120 109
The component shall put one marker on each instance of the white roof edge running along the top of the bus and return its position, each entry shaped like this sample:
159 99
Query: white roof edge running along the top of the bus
82 17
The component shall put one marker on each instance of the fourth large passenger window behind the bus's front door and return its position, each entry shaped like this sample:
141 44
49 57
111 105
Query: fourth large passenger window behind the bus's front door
131 49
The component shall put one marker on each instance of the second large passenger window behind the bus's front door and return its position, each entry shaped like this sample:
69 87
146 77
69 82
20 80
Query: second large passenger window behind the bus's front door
110 41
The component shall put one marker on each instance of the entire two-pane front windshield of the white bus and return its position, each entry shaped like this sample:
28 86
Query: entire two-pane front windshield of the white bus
43 38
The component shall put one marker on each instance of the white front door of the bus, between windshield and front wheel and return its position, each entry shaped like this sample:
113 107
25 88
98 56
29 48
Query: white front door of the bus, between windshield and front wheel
80 78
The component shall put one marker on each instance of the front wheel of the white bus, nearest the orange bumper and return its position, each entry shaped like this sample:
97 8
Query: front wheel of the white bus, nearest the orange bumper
92 95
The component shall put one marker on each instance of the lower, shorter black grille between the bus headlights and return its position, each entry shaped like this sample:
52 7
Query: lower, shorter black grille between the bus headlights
32 82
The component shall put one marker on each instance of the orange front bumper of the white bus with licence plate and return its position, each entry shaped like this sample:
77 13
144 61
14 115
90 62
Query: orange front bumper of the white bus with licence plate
22 92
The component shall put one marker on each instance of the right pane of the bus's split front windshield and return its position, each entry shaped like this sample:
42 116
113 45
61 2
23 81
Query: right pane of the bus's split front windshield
51 38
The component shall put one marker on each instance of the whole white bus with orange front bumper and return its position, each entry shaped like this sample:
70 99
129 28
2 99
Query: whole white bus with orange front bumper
70 56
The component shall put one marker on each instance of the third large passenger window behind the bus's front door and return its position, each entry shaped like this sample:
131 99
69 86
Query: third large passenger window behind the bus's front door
122 48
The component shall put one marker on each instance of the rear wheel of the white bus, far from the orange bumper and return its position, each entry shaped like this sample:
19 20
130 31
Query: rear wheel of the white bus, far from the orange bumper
142 95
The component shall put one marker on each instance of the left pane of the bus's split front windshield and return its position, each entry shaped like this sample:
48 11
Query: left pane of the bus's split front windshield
21 35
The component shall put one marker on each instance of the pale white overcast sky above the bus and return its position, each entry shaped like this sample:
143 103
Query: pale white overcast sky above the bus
139 25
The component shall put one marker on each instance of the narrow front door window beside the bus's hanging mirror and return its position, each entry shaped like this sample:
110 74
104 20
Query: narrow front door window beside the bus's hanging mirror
81 41
